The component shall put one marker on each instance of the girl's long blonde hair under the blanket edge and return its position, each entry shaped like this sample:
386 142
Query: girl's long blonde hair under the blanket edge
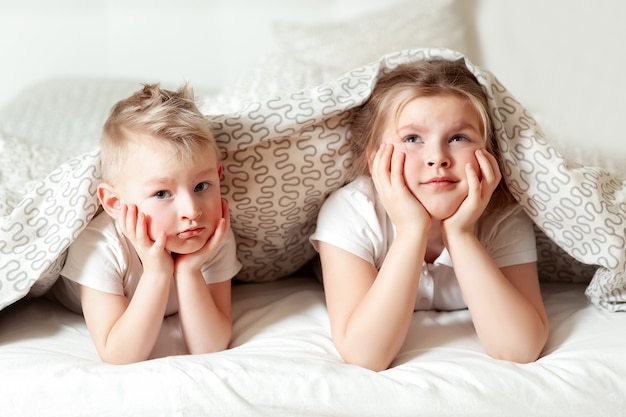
394 90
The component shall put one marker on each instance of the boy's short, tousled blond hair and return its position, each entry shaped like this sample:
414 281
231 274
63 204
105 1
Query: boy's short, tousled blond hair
169 116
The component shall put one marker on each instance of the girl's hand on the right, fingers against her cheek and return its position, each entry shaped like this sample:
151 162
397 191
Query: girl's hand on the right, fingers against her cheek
479 193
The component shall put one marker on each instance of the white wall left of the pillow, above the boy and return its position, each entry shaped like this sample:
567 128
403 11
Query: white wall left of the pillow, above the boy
208 42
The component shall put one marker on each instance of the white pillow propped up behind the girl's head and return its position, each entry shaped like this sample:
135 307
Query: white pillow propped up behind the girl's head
363 38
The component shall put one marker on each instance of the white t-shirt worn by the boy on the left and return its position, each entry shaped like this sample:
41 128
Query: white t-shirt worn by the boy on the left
102 258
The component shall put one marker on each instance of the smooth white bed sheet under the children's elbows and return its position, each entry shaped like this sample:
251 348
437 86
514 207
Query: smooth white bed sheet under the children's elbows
283 363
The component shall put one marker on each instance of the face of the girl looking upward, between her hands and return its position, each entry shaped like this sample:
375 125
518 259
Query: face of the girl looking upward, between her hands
439 135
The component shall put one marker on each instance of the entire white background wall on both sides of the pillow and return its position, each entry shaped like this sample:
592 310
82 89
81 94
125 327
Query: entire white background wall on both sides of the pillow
564 59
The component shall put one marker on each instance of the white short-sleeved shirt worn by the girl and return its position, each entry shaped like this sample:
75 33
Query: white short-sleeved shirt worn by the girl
354 219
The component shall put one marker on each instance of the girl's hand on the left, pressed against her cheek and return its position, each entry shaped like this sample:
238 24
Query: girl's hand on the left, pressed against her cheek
404 209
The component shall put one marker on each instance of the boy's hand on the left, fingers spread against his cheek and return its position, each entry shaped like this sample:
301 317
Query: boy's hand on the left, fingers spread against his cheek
152 254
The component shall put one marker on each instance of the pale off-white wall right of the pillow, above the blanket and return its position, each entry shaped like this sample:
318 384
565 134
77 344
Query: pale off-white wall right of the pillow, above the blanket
564 60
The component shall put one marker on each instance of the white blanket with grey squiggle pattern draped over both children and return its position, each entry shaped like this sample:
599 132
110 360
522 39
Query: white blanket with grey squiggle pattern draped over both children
284 155
